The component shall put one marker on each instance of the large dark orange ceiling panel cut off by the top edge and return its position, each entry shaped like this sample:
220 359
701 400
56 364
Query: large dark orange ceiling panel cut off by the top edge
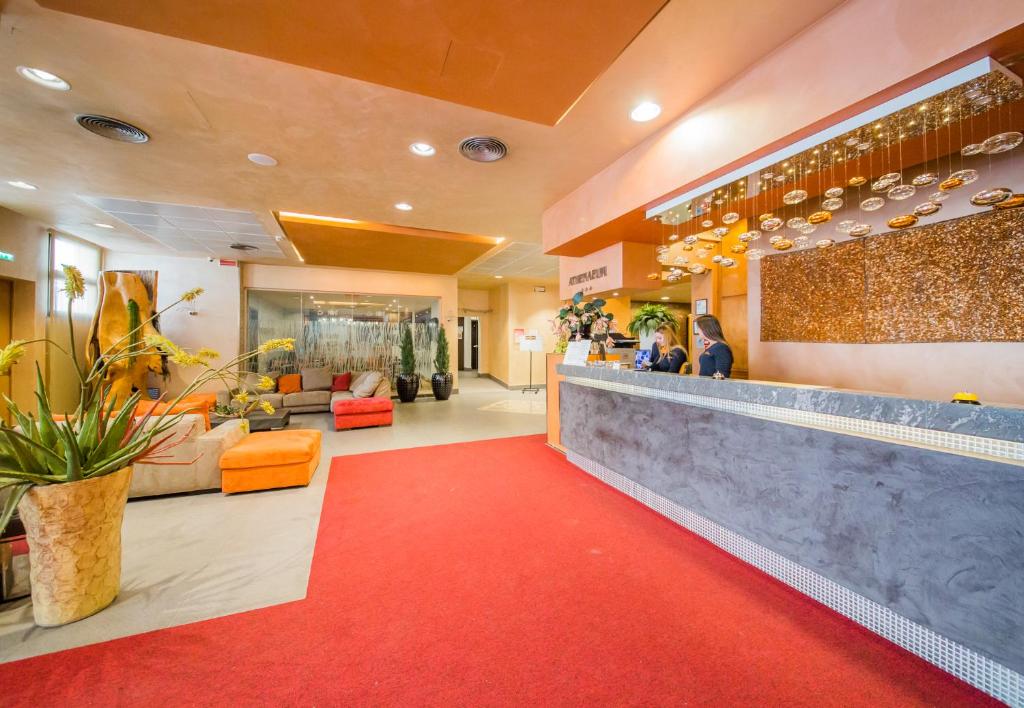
526 60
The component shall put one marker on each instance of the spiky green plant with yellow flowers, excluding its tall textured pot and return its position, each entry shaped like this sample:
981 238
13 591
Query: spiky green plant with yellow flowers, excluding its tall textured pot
97 440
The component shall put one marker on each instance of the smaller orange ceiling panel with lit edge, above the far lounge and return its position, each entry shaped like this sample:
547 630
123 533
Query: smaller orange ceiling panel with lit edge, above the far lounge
382 247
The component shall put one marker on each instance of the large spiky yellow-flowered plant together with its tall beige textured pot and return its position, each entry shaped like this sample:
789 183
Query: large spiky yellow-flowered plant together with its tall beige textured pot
68 476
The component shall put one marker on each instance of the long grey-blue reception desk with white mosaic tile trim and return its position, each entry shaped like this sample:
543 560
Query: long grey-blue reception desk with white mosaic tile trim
906 516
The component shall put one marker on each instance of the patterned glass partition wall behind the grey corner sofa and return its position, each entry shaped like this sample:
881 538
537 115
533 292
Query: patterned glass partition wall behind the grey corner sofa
344 331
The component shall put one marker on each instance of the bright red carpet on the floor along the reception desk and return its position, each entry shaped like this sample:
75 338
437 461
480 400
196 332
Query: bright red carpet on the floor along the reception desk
496 573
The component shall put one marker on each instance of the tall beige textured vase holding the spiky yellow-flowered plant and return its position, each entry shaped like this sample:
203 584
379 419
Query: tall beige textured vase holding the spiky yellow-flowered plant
74 534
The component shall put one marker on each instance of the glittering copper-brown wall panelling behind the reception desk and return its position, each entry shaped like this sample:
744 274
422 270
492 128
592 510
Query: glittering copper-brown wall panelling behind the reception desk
961 280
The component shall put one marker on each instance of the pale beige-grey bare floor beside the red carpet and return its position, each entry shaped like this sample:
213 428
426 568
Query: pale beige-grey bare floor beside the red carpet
198 557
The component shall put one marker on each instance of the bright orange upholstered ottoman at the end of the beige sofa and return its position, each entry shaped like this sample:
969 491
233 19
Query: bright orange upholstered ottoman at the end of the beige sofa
271 461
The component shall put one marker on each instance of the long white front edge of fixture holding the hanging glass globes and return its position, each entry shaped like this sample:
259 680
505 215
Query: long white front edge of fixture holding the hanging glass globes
963 75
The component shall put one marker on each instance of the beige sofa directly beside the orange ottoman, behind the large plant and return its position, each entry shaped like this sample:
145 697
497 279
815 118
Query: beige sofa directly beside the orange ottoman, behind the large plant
192 466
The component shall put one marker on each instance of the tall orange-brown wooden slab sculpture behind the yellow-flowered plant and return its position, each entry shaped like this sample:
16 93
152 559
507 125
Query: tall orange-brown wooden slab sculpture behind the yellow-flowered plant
125 303
